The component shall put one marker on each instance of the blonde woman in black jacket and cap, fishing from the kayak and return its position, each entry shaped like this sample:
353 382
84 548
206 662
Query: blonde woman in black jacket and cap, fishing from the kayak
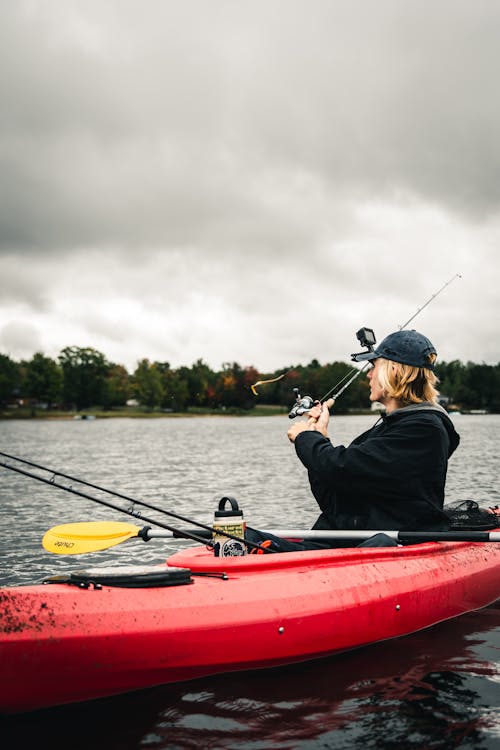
392 476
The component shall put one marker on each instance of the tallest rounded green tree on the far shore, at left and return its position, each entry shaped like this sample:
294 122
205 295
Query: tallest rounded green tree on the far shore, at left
84 373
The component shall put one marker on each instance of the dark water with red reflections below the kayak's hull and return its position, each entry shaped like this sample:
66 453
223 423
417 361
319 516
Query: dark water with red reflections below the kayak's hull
435 689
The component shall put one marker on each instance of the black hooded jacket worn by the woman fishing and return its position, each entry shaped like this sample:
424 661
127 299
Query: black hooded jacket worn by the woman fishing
390 477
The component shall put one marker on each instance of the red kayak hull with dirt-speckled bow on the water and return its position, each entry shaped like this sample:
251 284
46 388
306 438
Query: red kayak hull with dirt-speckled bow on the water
68 642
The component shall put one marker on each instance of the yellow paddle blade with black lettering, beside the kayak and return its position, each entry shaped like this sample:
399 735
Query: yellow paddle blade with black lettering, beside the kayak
91 536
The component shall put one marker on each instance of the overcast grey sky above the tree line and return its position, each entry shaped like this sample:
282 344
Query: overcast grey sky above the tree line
248 181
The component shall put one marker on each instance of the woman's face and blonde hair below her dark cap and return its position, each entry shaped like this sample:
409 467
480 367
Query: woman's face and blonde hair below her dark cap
408 384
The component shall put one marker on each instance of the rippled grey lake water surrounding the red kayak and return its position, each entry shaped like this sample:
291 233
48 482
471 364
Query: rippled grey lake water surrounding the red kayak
436 689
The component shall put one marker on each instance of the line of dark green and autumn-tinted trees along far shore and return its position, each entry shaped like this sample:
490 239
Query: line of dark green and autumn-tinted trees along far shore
83 378
